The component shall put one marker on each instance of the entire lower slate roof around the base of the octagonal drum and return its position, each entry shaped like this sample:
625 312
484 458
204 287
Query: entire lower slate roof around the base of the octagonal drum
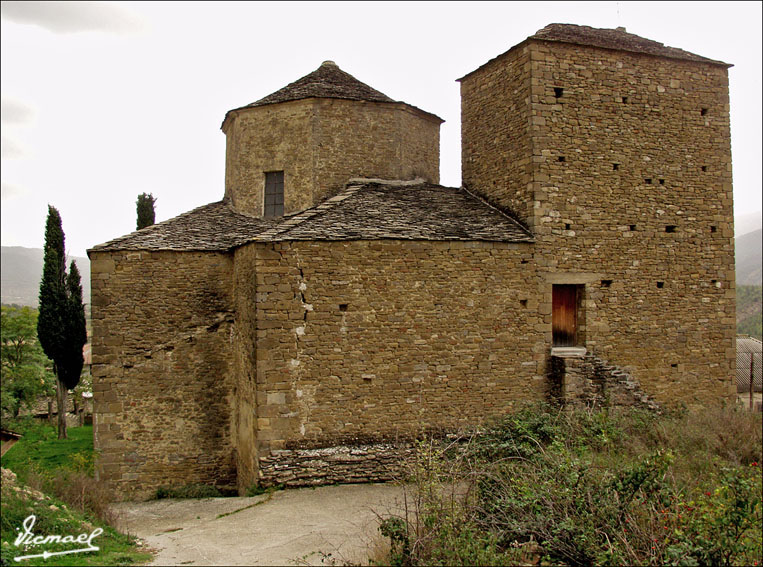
365 210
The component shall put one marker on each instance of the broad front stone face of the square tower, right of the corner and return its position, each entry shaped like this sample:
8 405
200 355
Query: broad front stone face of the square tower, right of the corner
632 179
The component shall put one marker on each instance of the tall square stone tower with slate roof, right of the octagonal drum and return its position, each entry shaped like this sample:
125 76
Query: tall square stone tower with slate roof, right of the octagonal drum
615 151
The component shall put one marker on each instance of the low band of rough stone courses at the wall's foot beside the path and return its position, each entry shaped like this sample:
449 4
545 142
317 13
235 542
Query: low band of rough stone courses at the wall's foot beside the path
380 462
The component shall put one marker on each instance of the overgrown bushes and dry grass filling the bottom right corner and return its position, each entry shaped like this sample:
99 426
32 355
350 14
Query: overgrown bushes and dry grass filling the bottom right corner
583 488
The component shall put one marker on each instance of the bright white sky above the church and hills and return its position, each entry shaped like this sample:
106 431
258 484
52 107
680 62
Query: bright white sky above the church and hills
103 101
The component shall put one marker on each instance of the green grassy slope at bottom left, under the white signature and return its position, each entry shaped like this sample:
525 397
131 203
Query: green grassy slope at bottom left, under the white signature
55 484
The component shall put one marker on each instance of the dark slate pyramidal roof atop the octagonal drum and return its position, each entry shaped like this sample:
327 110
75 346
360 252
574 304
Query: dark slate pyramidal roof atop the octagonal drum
327 81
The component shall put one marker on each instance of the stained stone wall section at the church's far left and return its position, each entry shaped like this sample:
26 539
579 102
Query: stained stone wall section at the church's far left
162 380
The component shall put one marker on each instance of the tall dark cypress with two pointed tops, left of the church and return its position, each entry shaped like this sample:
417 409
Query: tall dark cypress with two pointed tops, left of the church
61 323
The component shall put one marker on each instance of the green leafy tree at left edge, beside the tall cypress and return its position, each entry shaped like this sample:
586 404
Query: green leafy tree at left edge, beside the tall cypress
25 368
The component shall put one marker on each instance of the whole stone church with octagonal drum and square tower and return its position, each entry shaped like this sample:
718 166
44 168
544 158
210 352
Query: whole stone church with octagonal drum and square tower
338 302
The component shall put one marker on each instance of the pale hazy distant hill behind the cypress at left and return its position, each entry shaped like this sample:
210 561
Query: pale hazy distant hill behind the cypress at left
21 270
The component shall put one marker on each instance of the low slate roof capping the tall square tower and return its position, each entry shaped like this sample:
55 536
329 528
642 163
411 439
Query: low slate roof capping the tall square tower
618 39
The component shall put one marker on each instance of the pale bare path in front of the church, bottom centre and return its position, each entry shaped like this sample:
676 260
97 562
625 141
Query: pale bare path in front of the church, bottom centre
292 527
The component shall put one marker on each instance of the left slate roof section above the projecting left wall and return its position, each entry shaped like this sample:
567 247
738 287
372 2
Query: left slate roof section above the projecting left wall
212 227
